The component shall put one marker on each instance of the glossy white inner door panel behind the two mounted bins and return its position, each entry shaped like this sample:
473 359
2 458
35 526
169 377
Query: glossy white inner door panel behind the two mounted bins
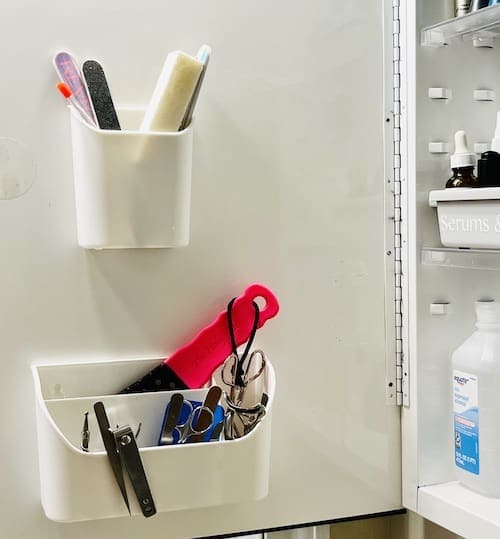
288 189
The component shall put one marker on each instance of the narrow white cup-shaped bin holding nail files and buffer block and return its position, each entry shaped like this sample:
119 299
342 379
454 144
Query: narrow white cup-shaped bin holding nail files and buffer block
132 189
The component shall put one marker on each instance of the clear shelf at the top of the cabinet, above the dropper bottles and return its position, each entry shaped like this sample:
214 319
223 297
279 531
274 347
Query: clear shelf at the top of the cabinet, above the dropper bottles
484 23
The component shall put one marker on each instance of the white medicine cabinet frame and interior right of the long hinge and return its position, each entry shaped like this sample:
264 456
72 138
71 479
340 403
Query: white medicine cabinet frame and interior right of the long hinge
445 88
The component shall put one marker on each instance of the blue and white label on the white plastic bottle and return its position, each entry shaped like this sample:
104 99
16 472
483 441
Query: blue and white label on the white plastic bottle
466 414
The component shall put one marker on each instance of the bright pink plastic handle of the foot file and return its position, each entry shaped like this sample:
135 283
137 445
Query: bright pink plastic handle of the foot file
195 362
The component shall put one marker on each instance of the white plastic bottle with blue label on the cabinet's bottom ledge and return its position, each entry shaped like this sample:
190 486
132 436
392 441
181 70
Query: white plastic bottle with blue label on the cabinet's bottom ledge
476 403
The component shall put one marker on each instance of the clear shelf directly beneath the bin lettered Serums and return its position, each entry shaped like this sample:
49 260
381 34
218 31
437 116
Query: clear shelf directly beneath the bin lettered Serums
488 259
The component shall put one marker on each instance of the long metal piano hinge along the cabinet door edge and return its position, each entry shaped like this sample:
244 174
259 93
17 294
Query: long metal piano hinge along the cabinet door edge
396 140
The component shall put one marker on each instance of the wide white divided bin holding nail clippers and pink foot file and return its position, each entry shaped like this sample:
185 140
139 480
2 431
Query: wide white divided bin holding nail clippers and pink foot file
77 486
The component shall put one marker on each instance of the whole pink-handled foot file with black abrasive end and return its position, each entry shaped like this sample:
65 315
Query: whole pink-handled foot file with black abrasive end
191 366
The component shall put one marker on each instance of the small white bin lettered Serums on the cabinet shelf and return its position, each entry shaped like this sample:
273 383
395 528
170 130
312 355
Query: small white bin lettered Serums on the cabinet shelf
468 217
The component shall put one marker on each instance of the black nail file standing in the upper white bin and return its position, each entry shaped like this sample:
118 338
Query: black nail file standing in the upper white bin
99 95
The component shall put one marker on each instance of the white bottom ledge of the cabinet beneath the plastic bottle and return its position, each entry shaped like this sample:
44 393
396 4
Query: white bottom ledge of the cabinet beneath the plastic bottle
460 510
